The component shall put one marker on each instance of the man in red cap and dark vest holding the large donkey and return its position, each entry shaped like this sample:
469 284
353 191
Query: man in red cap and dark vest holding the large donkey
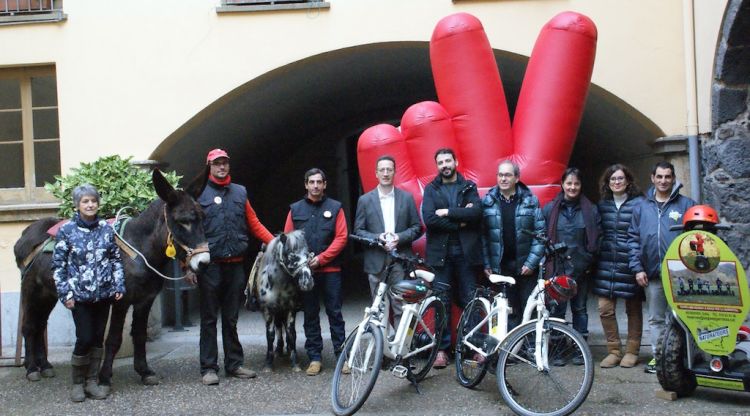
229 220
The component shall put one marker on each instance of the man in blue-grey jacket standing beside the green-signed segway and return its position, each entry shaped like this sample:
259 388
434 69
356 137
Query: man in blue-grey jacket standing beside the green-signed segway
649 236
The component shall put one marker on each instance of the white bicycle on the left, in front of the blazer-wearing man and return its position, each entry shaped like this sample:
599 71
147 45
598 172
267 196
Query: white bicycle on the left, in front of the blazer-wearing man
412 348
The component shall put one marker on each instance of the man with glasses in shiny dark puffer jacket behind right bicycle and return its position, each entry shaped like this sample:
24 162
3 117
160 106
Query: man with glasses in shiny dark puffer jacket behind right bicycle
509 212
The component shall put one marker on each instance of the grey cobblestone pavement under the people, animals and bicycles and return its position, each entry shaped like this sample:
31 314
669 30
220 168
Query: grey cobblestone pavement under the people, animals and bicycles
174 356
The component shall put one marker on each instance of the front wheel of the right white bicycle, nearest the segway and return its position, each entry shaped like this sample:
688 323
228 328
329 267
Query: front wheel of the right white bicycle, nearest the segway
554 390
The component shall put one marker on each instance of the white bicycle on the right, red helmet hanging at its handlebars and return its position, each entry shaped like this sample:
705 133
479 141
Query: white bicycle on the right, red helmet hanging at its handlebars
543 367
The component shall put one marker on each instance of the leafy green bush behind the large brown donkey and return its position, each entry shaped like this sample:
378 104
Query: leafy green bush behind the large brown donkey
120 184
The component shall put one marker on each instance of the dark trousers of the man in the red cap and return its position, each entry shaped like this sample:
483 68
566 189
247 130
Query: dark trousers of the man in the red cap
221 287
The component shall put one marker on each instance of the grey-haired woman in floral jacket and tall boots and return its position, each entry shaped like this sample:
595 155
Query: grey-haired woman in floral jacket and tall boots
88 274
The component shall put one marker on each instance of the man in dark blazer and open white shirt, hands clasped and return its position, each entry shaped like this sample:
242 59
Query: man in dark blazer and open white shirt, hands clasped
390 215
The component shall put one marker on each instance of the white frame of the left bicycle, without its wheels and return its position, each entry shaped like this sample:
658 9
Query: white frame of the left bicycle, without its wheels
378 315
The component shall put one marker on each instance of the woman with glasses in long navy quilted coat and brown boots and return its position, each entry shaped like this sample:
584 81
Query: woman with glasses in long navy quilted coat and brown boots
613 278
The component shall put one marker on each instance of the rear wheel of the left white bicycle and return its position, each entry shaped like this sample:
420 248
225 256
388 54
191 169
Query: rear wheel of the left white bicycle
427 333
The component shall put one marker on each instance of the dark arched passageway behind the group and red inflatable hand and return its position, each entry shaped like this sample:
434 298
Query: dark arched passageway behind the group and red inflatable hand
310 113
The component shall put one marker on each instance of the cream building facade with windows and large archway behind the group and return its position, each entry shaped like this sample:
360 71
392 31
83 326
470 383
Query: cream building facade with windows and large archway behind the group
286 85
